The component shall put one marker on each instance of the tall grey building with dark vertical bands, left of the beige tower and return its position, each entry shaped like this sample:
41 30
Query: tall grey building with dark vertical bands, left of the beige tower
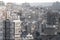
8 30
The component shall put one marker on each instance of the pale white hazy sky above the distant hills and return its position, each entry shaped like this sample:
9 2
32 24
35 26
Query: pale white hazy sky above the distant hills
29 1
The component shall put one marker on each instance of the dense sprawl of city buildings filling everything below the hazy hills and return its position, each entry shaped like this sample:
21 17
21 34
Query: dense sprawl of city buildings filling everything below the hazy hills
28 22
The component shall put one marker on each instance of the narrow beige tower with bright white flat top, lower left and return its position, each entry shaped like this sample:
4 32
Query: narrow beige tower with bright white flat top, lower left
17 29
